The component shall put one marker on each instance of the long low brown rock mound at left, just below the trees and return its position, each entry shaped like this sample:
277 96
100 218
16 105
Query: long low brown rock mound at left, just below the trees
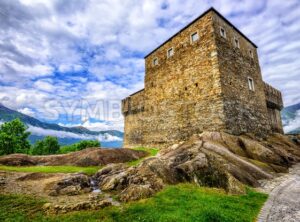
86 157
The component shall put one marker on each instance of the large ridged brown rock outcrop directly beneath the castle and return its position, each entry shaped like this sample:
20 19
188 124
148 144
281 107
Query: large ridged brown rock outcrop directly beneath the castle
209 159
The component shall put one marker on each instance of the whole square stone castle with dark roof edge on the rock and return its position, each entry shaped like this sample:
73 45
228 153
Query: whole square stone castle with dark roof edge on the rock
206 77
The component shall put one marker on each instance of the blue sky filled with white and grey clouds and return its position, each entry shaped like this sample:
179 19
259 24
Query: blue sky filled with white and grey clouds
66 61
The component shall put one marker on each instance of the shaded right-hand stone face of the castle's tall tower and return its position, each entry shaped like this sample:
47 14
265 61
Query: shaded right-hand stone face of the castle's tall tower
245 109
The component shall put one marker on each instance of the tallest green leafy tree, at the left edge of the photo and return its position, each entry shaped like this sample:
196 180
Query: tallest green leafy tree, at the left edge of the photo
13 138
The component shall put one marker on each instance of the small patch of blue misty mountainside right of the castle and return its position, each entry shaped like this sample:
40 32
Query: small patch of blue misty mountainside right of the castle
291 119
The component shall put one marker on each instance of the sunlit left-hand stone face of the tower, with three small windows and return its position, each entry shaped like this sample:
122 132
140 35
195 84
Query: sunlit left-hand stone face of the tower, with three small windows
183 93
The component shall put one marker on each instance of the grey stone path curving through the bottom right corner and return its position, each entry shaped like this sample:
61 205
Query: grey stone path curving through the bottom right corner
283 204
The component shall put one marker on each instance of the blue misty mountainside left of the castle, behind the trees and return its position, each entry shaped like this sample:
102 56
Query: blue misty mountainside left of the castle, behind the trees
66 135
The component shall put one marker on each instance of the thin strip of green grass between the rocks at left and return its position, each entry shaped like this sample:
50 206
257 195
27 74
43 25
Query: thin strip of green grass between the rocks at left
52 169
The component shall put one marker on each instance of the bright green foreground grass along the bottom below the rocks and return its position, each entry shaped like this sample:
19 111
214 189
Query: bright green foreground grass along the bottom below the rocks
180 203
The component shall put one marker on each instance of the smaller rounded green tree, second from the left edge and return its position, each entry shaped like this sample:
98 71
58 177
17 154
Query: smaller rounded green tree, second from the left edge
49 145
